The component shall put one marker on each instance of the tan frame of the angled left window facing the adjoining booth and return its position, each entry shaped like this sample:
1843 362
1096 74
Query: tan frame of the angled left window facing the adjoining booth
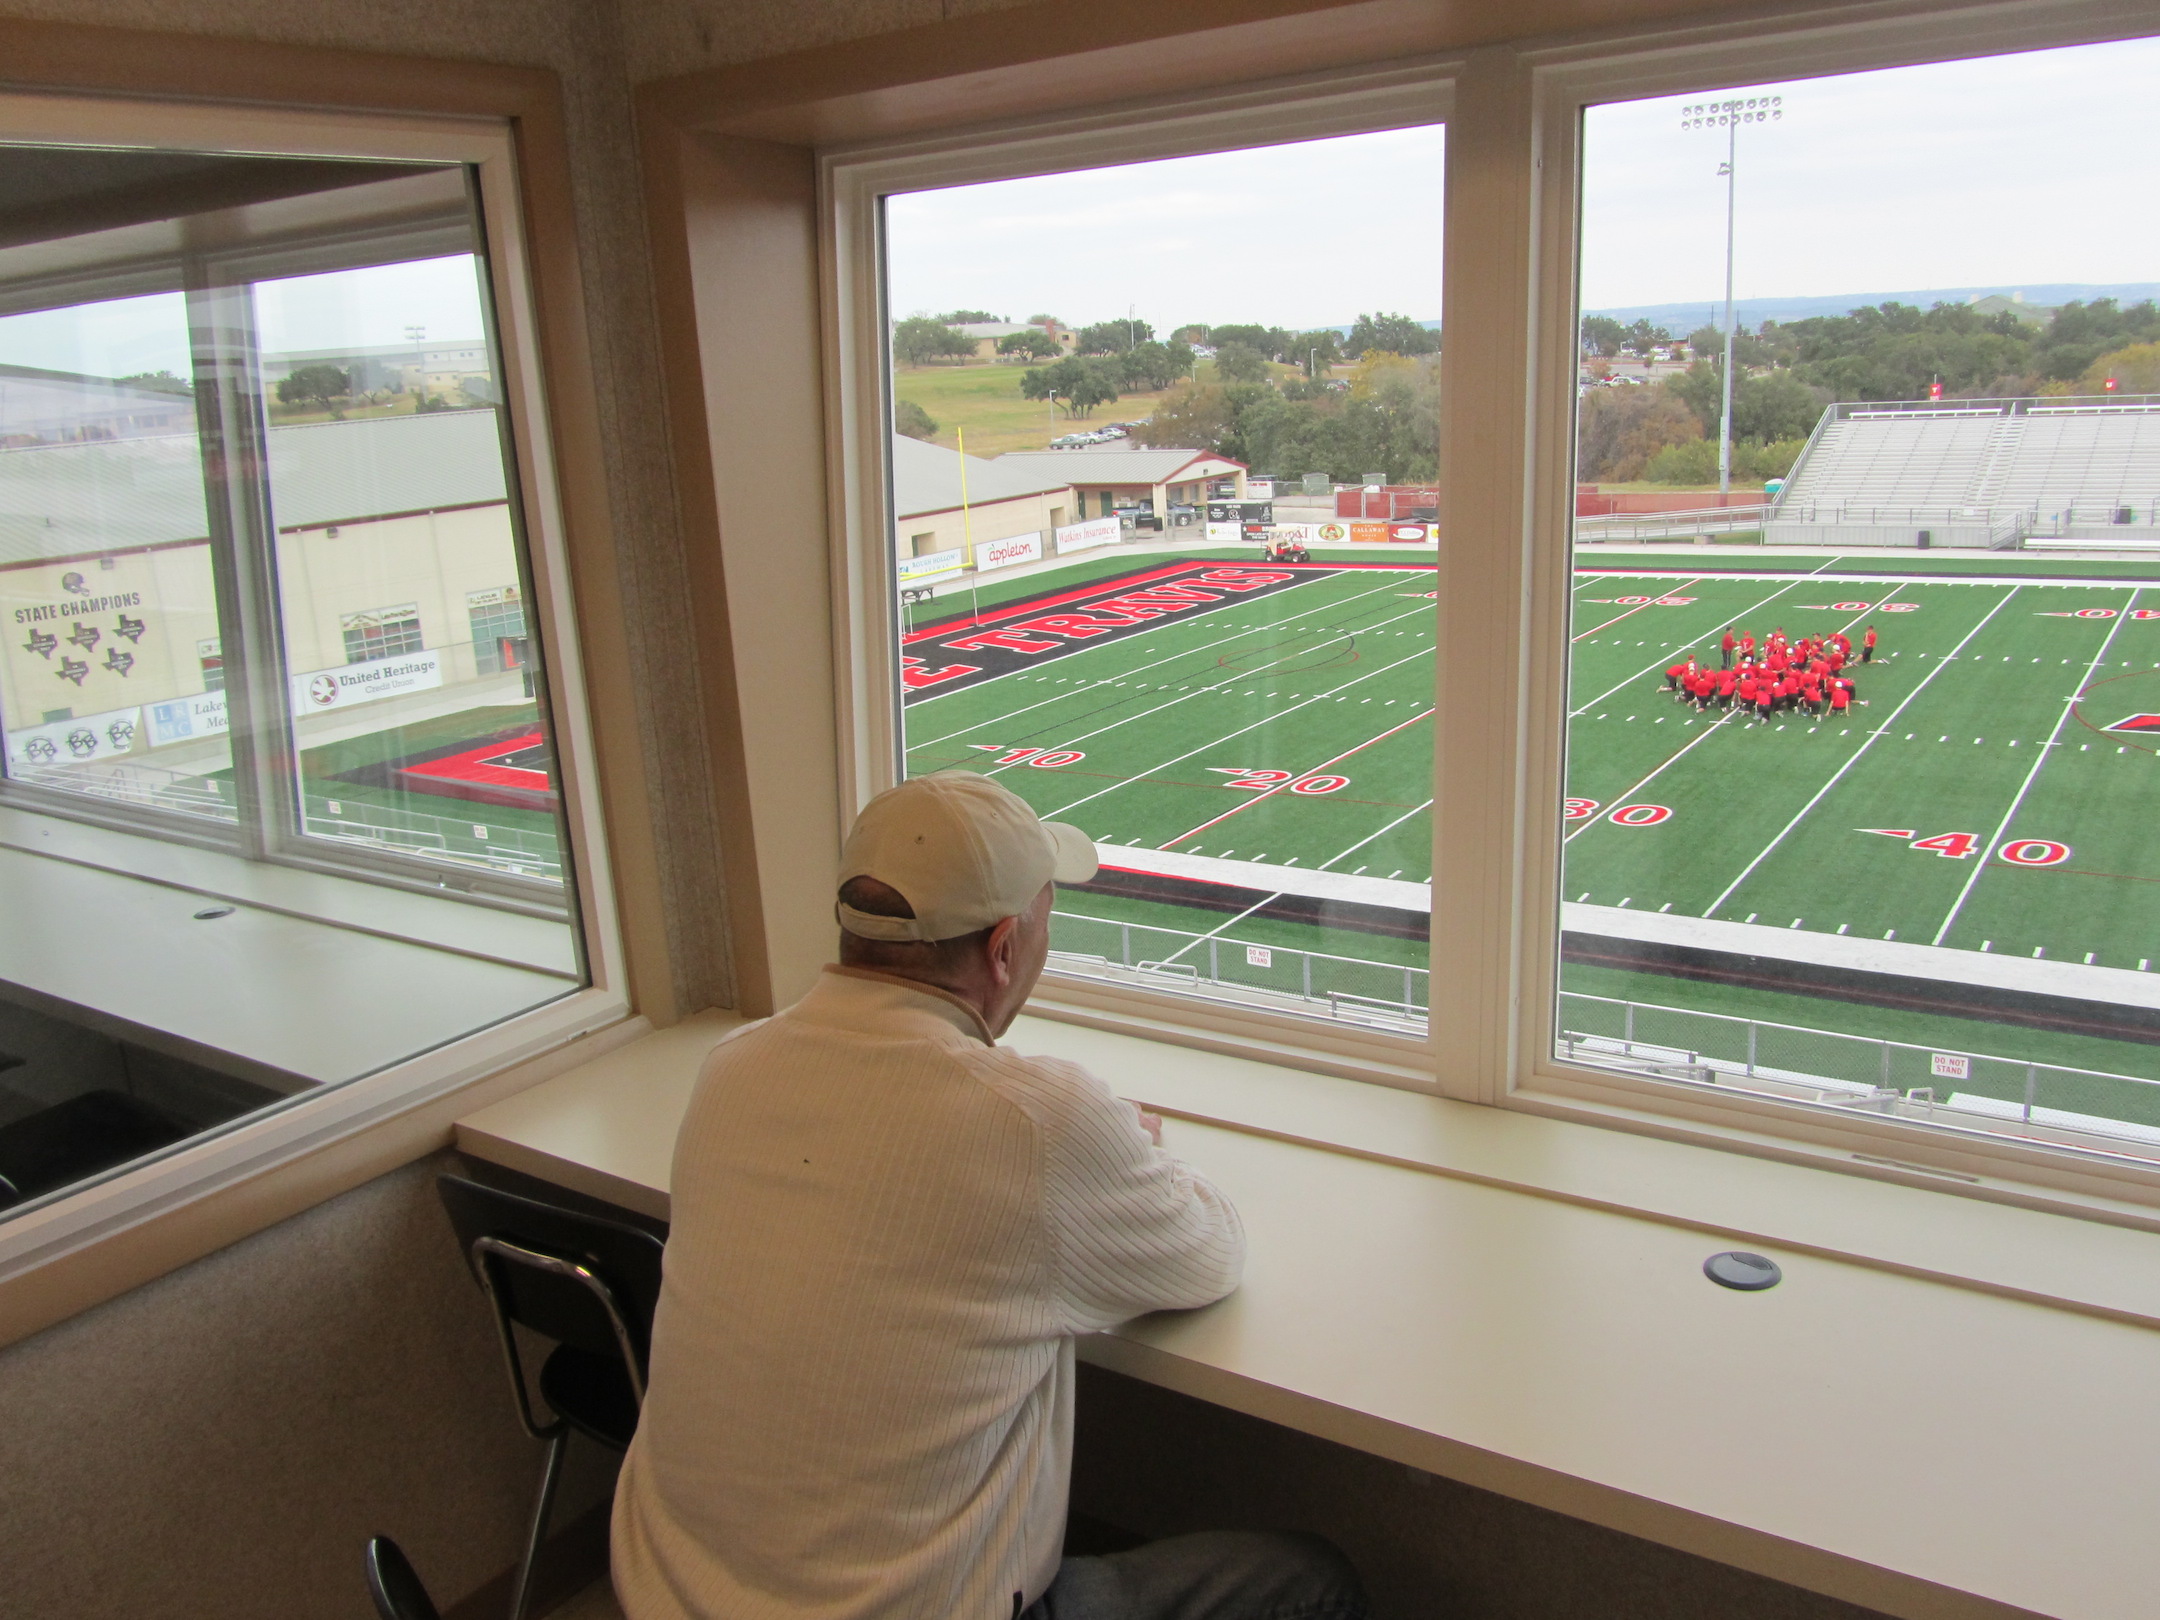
316 1120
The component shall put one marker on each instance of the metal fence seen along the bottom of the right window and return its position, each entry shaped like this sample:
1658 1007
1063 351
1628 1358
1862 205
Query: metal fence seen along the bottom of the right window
1854 1070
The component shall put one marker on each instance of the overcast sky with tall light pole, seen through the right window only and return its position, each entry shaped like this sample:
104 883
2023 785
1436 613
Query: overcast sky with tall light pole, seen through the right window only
1999 172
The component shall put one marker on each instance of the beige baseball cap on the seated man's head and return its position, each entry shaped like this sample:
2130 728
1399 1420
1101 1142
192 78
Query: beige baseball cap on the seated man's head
962 850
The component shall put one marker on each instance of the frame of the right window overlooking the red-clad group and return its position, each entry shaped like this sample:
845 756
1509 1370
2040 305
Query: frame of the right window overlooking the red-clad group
1554 85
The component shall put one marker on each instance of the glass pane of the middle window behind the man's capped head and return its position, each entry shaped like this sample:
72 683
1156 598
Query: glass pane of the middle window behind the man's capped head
1165 532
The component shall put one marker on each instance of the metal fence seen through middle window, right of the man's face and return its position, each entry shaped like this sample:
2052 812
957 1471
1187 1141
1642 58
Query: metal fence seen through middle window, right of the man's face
1243 969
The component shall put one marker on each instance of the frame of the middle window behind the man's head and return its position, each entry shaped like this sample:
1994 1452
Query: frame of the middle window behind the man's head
854 180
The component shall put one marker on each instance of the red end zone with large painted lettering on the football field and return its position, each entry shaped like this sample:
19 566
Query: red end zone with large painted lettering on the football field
1012 638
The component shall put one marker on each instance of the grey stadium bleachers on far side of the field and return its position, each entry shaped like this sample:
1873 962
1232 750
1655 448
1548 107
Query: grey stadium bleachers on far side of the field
1977 474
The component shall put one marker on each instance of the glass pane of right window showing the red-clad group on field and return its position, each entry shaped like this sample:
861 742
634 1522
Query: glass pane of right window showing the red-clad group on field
1867 610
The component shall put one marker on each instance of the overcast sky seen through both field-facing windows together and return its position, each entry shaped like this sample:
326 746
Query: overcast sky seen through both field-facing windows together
2003 172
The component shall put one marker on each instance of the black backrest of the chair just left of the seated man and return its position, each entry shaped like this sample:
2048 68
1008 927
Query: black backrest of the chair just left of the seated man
539 1263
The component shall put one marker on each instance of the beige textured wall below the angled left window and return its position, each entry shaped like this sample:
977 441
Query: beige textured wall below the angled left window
219 1444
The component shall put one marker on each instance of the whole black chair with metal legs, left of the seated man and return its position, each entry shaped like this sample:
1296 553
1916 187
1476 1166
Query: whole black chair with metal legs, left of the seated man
584 1282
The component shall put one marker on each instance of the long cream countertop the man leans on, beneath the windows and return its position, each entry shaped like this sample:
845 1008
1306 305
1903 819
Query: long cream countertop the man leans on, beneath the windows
1517 1304
